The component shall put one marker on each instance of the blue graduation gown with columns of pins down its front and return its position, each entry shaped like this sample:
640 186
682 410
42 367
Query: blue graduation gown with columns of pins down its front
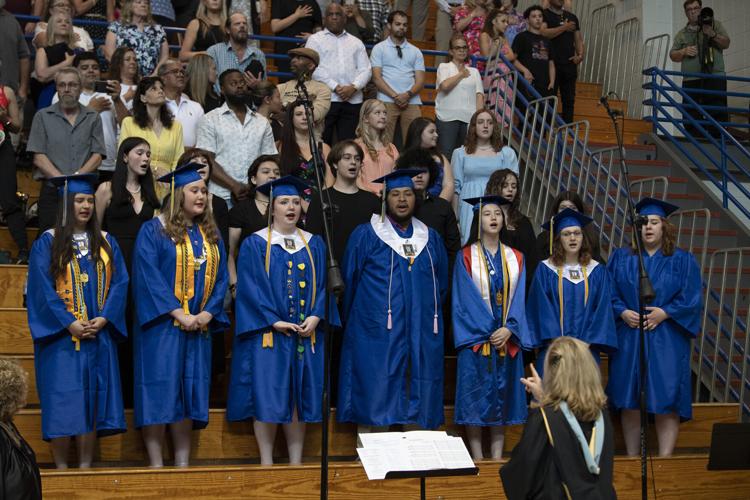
269 383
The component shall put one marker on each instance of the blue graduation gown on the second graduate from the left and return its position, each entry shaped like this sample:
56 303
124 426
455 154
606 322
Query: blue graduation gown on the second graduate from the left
172 367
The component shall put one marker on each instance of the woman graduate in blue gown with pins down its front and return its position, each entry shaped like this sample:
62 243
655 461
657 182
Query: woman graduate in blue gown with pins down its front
279 345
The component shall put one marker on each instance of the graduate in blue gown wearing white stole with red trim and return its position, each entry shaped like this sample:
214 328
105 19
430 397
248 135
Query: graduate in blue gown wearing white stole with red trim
489 330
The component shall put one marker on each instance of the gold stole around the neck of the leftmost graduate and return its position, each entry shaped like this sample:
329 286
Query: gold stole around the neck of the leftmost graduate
69 287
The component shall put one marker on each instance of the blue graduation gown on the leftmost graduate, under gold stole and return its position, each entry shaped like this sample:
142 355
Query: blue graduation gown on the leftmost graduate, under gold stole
79 391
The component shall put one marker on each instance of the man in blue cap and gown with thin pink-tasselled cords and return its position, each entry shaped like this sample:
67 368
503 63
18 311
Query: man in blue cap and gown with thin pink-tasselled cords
396 274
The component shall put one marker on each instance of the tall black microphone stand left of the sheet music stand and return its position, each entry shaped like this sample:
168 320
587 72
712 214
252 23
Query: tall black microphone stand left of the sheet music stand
335 284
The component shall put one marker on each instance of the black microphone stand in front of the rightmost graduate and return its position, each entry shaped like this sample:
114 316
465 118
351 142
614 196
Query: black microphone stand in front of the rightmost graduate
646 292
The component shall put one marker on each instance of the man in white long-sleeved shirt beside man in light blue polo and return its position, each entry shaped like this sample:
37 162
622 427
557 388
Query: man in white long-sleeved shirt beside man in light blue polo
345 68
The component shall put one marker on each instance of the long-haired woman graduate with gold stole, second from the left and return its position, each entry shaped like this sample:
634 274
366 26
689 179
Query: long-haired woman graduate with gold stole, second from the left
179 282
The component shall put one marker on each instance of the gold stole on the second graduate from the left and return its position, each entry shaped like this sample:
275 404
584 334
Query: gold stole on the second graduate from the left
184 283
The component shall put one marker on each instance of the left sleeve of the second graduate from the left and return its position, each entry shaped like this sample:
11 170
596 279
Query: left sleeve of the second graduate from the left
154 296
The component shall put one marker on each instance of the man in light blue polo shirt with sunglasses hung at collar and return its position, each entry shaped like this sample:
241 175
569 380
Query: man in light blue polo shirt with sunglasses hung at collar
398 73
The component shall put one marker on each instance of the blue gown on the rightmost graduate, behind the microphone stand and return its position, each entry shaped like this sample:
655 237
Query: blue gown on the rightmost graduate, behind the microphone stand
677 283
